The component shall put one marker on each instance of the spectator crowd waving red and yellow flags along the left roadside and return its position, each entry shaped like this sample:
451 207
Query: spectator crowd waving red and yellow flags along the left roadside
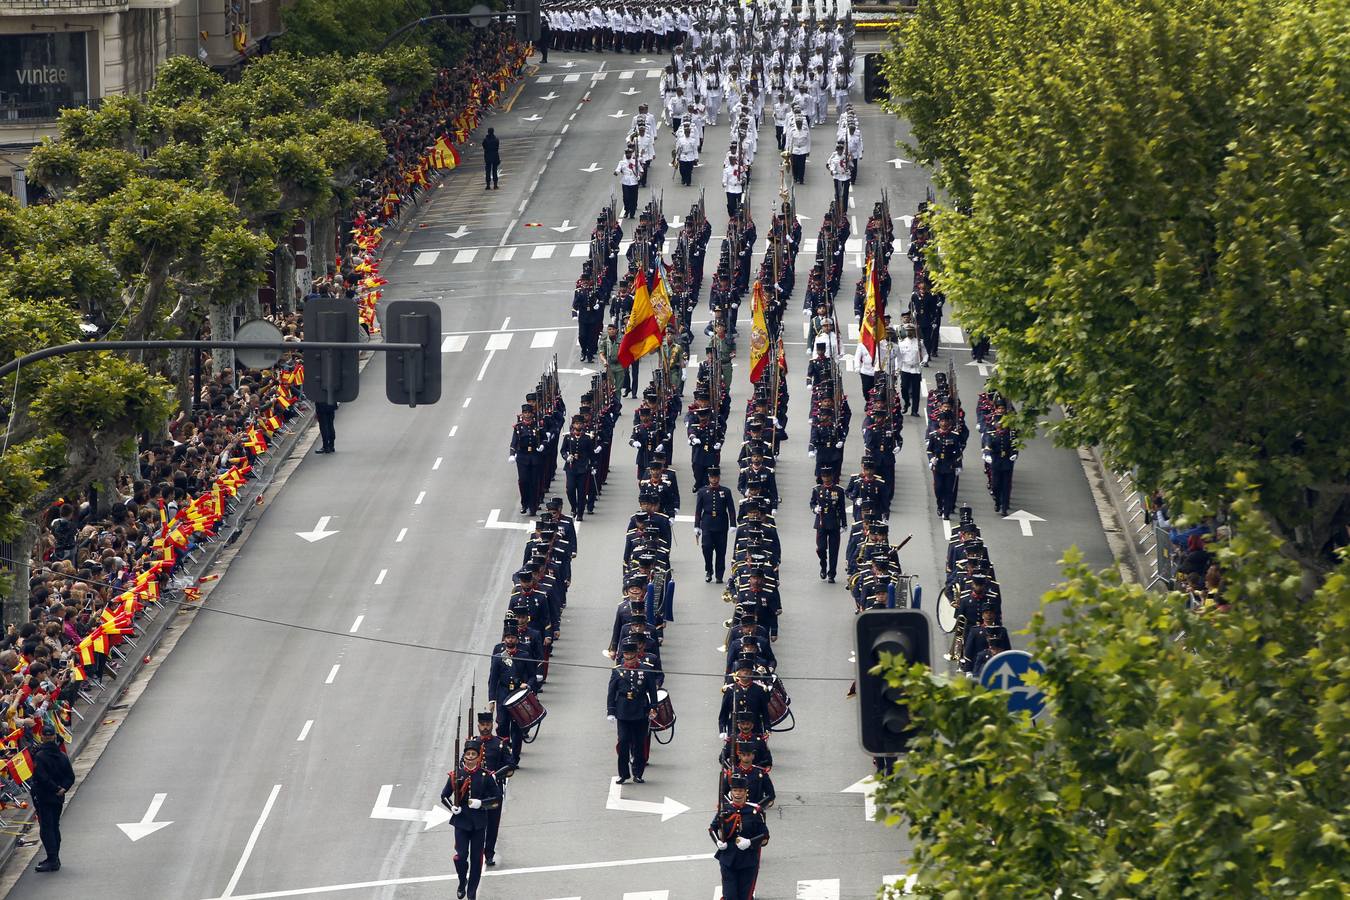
105 566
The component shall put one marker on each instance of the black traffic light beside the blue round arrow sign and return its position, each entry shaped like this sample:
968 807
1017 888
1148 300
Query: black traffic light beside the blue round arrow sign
884 716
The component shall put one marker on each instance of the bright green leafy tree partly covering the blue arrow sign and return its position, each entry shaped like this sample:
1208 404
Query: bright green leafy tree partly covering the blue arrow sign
1214 766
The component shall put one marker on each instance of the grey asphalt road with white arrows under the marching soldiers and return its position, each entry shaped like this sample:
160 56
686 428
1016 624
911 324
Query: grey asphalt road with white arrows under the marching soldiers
325 671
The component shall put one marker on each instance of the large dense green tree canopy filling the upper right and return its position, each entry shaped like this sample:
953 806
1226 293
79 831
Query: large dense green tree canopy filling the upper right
1155 230
